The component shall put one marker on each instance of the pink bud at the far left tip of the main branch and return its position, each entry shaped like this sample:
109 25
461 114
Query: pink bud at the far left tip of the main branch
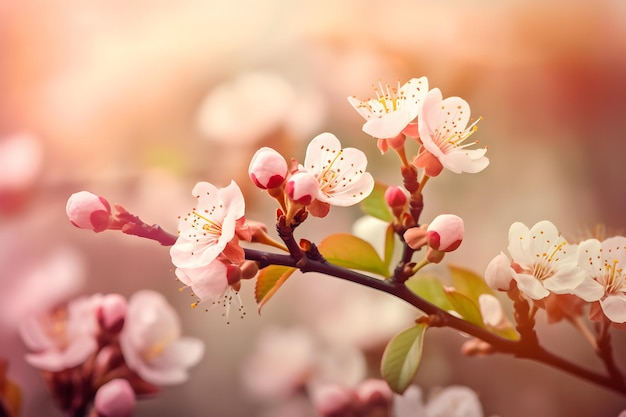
89 211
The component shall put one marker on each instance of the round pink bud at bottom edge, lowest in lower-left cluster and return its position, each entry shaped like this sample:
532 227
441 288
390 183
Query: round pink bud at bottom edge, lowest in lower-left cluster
116 398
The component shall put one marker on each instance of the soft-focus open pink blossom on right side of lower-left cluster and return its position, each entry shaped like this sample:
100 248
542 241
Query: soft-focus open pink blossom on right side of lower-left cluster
151 341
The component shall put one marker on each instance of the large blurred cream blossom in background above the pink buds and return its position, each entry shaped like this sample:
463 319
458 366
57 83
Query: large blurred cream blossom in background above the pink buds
254 105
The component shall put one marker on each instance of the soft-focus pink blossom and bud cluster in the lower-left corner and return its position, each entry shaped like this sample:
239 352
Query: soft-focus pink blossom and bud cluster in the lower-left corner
104 351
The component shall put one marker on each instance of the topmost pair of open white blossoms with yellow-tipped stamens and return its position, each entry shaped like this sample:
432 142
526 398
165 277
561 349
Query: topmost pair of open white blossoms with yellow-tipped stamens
439 125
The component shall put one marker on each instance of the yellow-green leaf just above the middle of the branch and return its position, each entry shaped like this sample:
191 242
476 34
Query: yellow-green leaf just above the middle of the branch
348 251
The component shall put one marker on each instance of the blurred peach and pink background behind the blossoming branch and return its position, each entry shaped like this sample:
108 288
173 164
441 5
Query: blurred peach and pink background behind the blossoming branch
138 100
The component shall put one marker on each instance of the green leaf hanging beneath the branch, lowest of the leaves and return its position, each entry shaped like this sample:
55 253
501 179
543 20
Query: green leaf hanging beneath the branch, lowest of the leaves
402 357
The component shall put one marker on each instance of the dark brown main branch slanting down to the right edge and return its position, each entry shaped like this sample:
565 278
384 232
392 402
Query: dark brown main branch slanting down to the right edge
438 317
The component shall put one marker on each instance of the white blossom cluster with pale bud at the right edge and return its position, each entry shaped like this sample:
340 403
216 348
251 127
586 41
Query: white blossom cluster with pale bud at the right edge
544 267
